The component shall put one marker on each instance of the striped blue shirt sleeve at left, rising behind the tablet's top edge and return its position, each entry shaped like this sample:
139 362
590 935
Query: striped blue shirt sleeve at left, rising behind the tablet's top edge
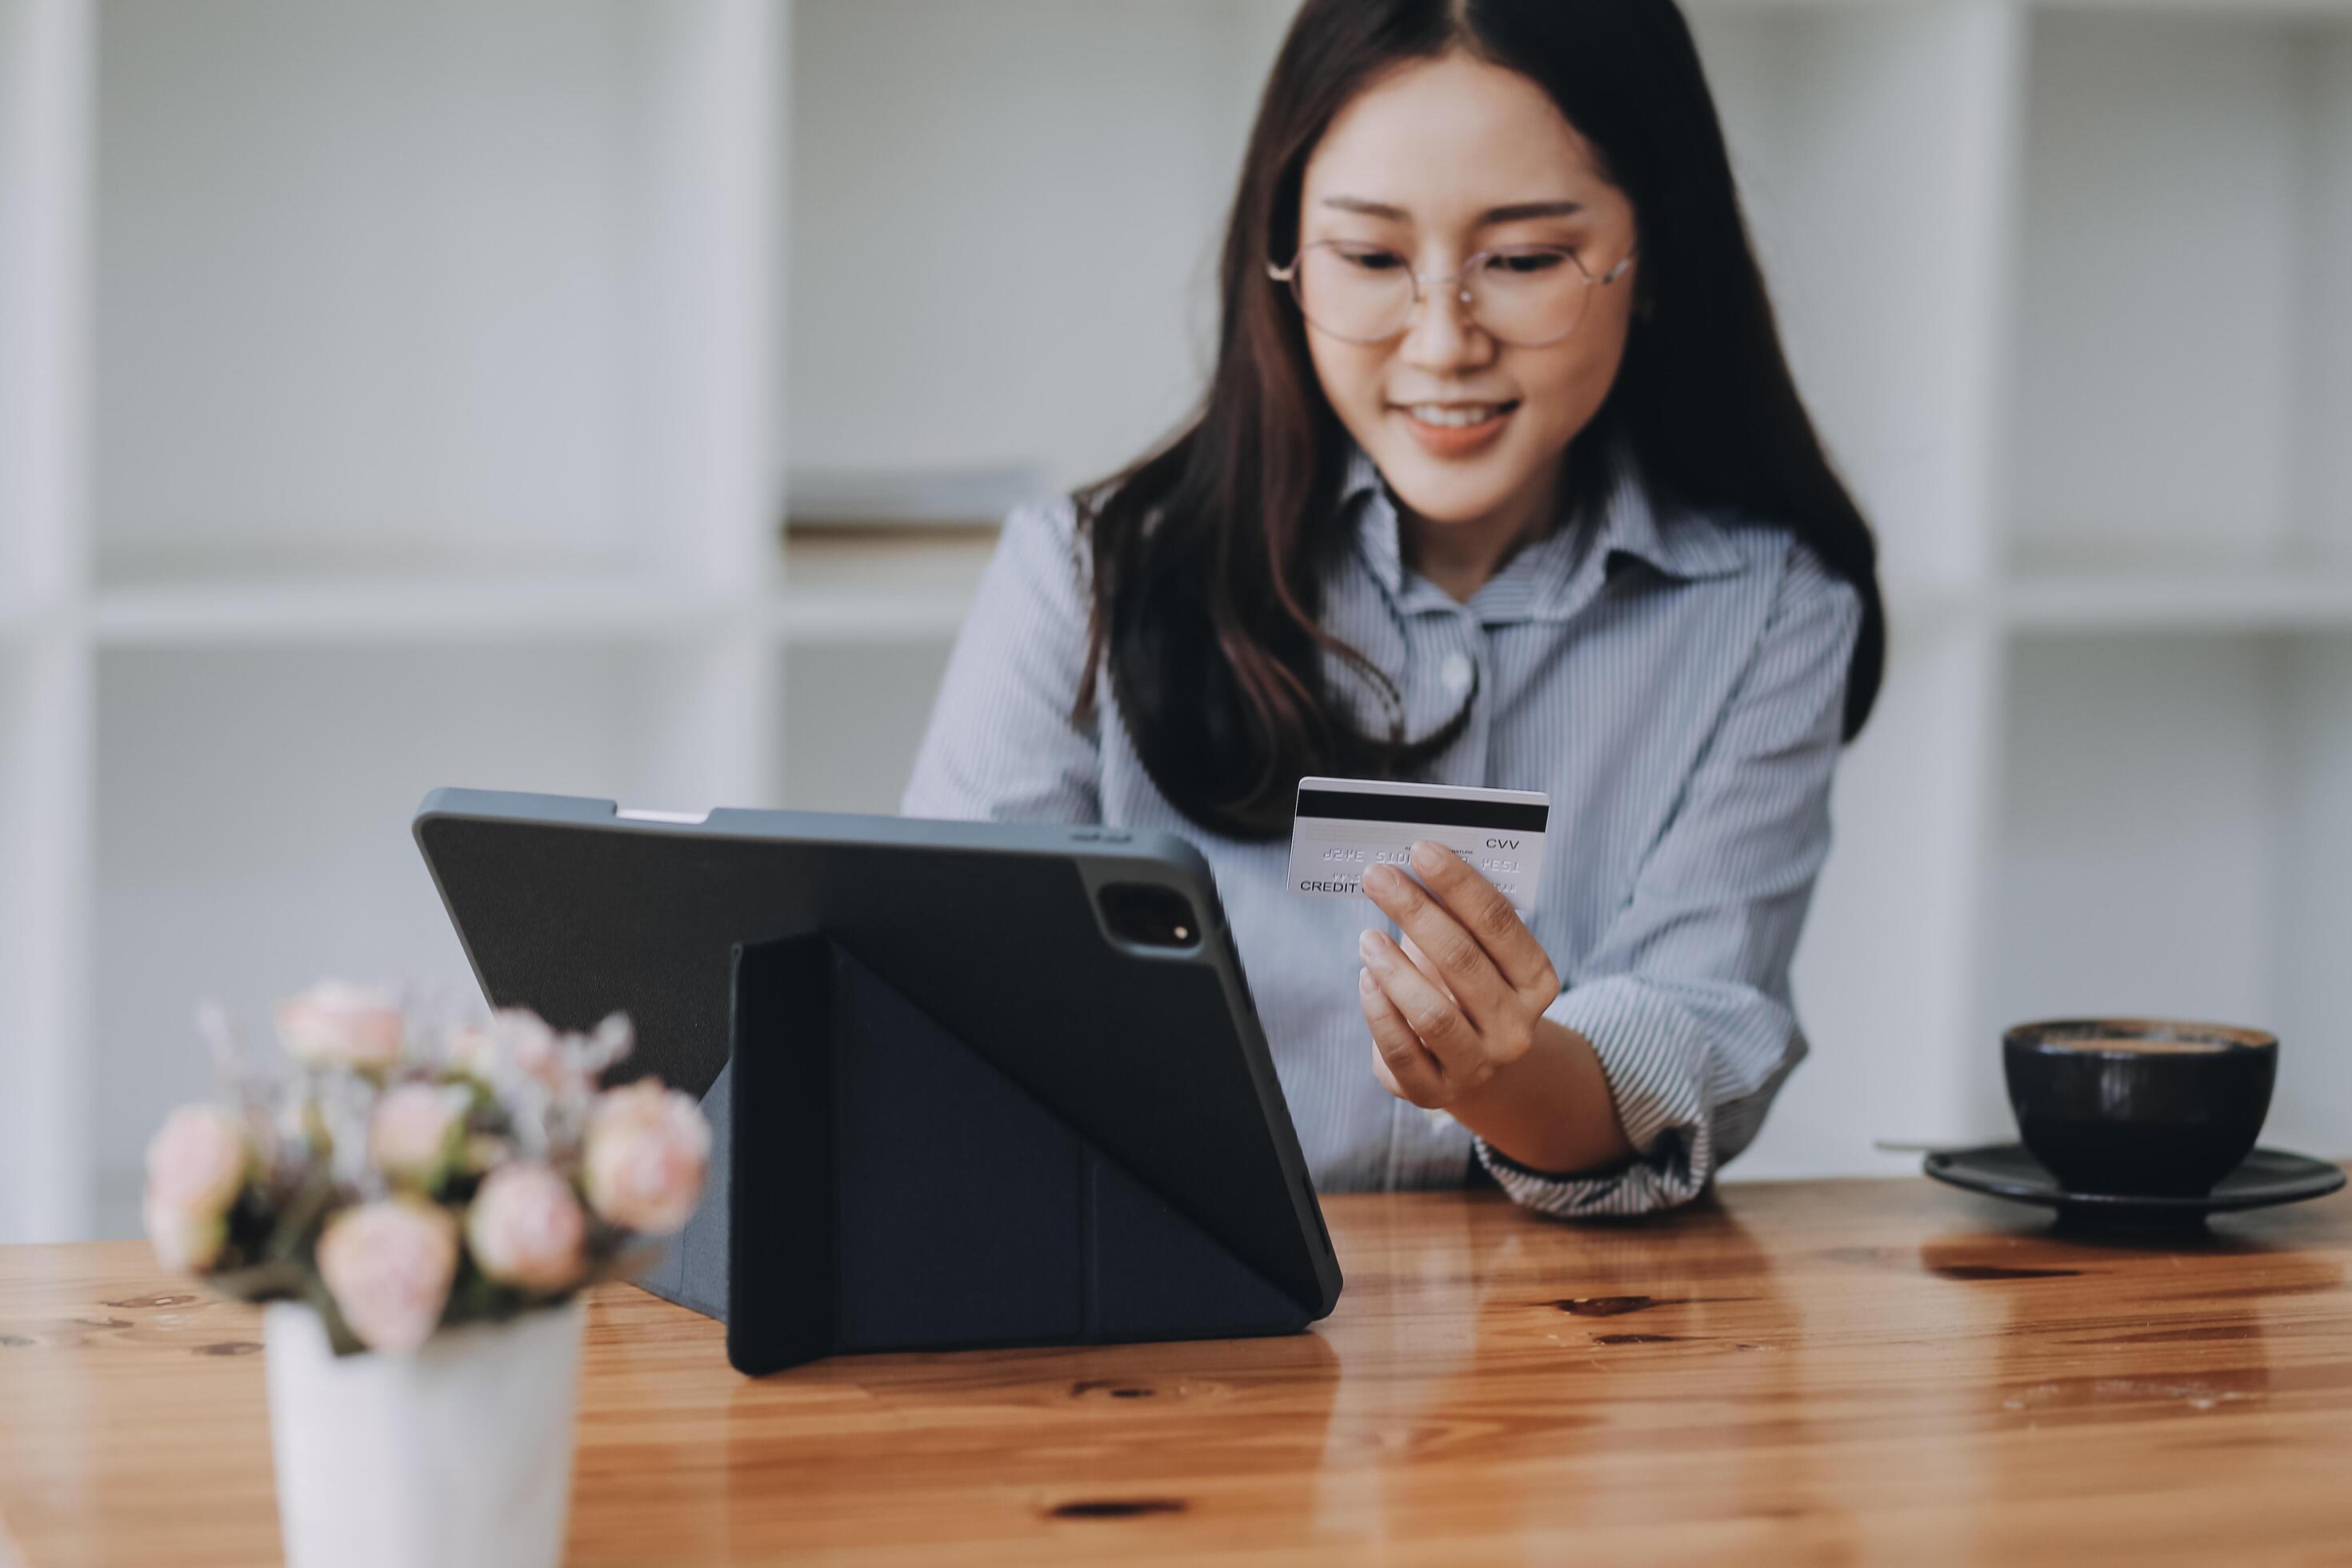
1001 744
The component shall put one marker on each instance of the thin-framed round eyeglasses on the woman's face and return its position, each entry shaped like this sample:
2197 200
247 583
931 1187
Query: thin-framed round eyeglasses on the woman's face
1521 295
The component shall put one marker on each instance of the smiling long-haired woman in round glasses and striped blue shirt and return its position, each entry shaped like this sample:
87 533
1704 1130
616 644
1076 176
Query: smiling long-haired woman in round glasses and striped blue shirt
1499 481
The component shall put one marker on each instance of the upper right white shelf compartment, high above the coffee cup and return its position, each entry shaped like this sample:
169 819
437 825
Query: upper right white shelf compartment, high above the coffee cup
2184 330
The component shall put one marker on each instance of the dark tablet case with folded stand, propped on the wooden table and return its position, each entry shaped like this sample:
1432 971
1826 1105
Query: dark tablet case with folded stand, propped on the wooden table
963 1106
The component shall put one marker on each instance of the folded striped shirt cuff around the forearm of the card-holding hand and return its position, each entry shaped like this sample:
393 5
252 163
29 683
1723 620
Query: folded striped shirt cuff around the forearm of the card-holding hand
1655 1057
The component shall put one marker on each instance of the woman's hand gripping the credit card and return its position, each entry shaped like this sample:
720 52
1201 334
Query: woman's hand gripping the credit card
1464 996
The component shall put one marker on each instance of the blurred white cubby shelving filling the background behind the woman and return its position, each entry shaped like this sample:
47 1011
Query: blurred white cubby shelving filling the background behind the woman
617 398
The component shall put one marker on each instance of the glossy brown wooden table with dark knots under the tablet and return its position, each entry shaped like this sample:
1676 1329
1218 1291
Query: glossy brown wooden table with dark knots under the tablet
1833 1372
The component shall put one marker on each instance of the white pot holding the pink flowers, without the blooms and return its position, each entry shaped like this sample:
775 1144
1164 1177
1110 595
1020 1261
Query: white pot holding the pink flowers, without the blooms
455 1456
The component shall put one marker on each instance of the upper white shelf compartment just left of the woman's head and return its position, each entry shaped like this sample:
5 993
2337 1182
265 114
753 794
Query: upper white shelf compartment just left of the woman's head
1085 182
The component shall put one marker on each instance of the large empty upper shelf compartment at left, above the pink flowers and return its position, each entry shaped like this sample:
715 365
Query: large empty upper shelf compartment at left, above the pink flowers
439 279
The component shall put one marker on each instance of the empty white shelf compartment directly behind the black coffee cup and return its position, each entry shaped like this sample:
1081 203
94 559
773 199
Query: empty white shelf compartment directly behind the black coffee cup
2174 845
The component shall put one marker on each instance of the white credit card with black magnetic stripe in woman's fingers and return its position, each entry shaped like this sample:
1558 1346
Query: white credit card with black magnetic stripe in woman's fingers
1347 826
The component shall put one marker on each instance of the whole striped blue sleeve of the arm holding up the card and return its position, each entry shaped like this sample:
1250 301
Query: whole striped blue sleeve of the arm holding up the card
1688 998
